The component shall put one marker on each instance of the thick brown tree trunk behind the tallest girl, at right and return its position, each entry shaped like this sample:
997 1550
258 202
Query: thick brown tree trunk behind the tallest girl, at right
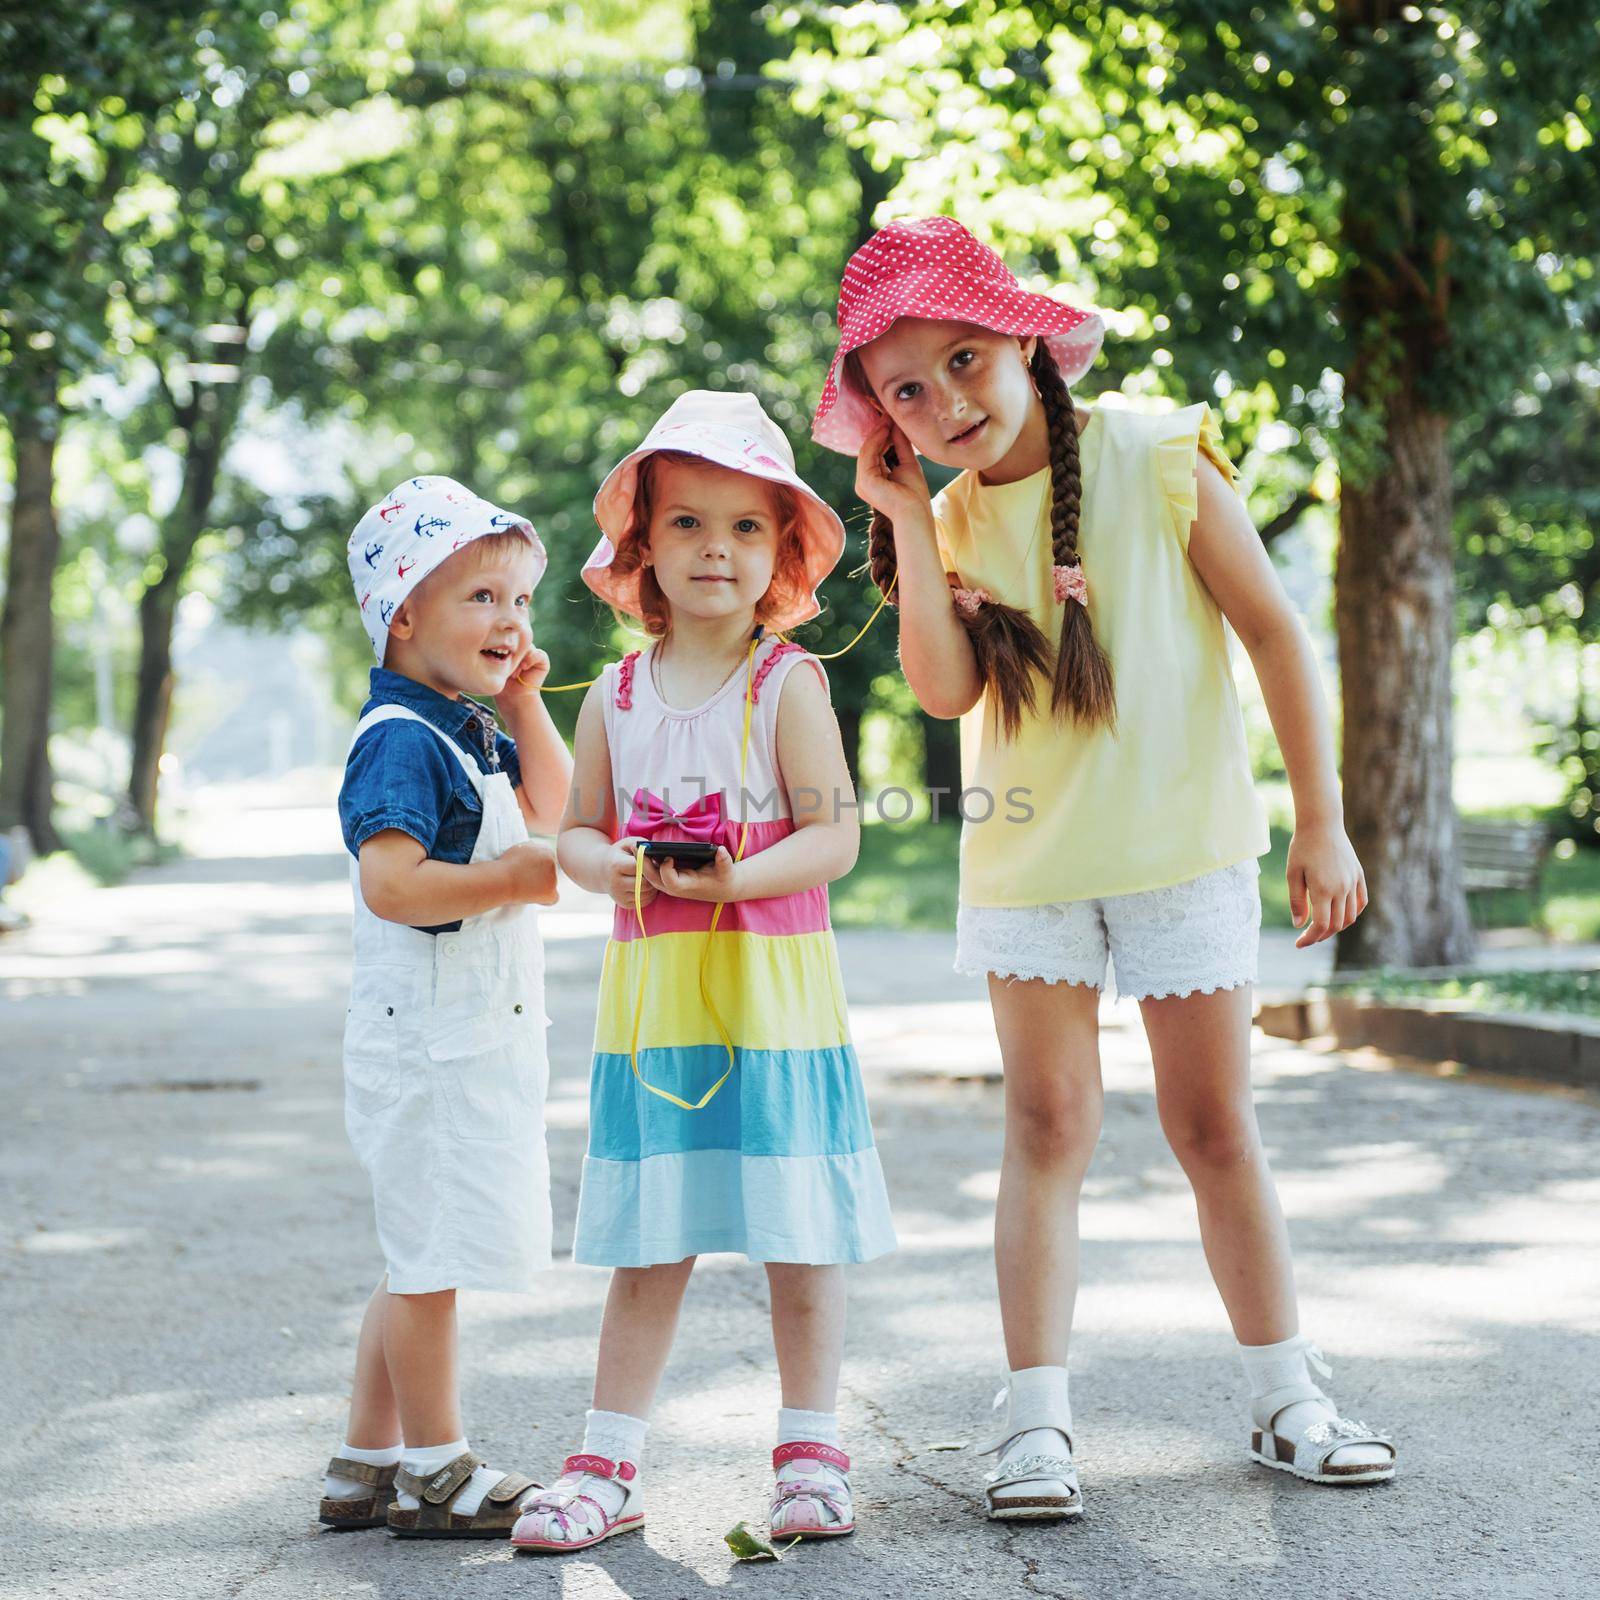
1396 609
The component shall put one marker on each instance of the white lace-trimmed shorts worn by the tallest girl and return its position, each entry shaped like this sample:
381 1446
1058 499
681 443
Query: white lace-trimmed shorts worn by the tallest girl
1201 935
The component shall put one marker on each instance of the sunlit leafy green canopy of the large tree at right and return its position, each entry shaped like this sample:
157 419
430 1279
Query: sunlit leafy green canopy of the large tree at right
1263 199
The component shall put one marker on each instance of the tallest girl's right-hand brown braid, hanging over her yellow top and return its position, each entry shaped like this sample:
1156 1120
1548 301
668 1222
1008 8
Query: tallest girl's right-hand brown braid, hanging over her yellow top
1082 684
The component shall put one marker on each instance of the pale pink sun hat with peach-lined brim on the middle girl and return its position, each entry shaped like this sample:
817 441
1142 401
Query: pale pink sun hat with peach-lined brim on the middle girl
729 431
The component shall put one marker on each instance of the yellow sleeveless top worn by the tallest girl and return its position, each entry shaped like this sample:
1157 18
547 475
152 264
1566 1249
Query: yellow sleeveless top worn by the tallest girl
1062 814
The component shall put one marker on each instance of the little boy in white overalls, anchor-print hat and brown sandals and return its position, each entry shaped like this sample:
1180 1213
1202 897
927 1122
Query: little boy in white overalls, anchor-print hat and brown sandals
444 1052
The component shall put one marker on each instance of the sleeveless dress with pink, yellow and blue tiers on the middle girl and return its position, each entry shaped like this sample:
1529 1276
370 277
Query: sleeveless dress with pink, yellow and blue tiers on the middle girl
780 1166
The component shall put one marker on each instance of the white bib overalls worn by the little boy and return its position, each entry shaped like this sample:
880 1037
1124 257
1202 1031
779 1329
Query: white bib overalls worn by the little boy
446 1071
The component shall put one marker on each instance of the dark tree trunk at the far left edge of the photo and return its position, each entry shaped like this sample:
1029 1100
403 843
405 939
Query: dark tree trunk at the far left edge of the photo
26 626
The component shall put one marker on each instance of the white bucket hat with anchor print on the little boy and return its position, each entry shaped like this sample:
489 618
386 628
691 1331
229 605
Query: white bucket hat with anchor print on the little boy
410 532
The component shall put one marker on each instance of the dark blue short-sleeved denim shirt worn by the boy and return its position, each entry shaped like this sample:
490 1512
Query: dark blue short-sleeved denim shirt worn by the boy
401 775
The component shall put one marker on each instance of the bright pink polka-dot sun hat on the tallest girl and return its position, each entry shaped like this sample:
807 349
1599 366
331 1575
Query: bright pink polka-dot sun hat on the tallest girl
934 268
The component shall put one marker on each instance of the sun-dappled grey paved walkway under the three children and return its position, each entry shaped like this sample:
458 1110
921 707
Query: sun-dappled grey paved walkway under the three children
186 1247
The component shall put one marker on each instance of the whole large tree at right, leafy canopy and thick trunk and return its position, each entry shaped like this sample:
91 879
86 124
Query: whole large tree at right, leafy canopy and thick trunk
1350 217
